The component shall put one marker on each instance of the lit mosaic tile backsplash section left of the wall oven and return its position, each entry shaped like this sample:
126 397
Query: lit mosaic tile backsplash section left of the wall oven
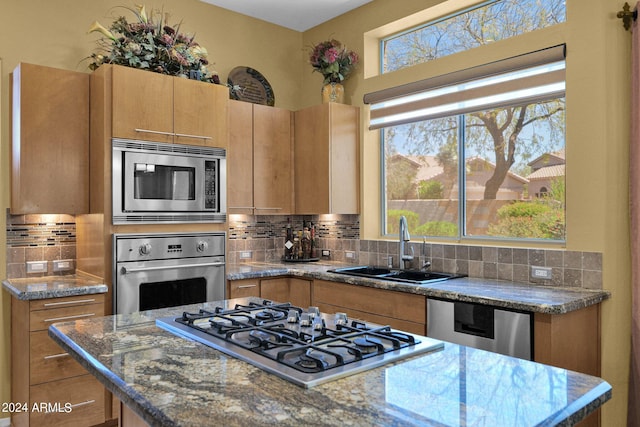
39 238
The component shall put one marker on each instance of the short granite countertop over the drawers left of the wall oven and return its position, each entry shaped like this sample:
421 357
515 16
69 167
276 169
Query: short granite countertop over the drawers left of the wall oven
34 288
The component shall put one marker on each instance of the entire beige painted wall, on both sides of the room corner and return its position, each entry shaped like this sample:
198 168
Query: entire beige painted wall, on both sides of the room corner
53 33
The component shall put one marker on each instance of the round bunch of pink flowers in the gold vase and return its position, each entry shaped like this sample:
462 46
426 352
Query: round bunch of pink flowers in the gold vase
333 60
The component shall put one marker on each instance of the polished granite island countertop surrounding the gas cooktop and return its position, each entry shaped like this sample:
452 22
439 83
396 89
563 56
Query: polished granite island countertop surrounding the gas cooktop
143 392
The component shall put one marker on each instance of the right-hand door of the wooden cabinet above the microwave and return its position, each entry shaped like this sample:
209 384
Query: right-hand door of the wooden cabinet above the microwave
196 114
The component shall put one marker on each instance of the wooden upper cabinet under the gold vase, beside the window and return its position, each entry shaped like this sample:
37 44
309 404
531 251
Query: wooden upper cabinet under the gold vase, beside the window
326 159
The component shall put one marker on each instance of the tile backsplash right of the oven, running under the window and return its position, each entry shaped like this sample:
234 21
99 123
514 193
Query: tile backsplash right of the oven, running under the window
262 239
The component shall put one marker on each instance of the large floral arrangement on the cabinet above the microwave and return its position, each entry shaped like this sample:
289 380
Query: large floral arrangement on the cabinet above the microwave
153 45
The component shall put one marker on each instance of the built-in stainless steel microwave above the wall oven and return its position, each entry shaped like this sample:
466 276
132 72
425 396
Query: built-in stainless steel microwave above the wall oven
167 183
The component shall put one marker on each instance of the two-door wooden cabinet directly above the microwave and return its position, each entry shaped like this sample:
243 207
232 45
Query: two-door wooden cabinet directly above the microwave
155 107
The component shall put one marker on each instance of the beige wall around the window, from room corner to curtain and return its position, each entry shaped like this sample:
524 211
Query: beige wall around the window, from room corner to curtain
597 140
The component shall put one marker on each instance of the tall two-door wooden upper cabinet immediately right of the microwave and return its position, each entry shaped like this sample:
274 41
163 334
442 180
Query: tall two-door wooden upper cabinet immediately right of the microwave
260 160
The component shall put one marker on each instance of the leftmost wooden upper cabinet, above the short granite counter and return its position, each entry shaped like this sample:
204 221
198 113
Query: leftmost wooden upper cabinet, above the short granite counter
50 141
